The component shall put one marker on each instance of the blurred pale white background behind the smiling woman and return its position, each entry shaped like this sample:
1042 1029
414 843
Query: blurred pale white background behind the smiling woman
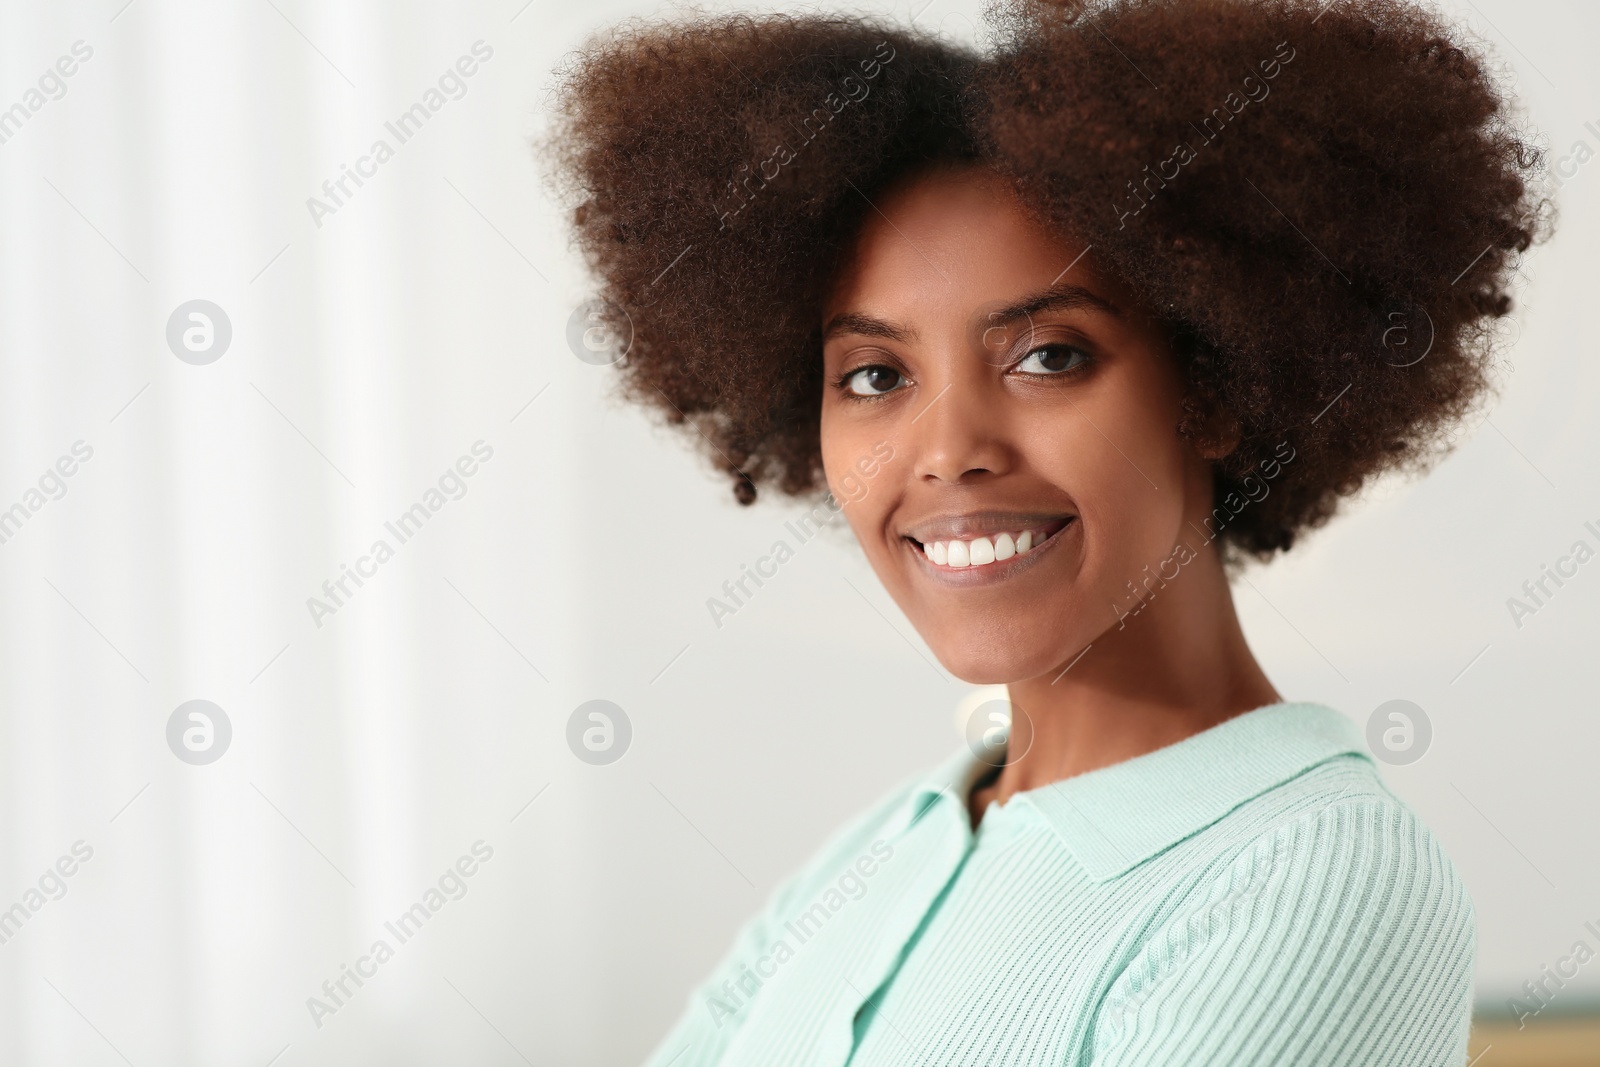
228 767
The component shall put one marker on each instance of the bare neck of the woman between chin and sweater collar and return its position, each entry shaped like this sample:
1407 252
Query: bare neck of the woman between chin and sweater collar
1177 668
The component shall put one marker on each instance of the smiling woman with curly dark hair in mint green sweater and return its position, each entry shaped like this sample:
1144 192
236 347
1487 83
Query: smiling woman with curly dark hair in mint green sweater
1074 329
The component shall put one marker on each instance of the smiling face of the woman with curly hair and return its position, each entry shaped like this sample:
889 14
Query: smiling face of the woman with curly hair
1012 417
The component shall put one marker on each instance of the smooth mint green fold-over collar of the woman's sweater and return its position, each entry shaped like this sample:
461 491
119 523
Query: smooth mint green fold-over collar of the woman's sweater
1118 817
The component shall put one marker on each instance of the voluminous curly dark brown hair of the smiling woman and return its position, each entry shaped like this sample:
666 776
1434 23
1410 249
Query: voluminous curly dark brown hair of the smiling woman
1311 194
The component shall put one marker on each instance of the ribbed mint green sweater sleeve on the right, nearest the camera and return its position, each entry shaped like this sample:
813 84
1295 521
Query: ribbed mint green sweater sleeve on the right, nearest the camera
1343 938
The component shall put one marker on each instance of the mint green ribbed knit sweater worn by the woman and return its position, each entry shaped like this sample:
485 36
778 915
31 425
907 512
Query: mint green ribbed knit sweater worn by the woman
1250 895
